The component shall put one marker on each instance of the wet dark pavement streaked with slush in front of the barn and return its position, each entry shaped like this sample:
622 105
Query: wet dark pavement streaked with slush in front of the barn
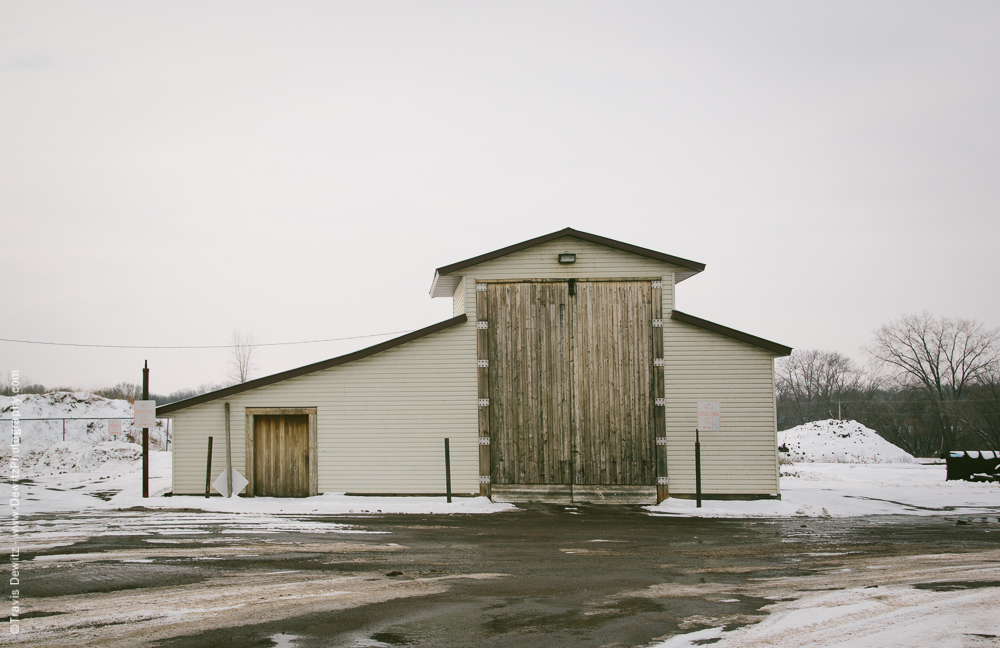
546 575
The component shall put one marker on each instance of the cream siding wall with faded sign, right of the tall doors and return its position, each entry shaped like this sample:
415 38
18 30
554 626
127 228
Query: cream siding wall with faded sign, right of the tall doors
700 365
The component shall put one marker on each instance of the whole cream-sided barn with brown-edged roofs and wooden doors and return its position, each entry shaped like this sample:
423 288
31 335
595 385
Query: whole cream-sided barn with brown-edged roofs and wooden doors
565 375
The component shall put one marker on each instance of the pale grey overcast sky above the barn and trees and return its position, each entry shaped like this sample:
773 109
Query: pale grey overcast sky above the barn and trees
172 171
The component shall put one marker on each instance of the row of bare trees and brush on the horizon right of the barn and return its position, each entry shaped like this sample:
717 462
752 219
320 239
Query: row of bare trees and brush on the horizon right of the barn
930 385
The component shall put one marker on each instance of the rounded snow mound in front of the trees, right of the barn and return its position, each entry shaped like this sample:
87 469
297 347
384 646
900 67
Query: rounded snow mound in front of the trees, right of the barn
834 441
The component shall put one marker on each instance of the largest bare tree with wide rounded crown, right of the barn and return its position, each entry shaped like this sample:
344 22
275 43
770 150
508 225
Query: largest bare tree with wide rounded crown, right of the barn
941 357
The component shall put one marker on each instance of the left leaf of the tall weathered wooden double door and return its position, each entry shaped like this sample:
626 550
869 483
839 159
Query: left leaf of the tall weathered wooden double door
529 383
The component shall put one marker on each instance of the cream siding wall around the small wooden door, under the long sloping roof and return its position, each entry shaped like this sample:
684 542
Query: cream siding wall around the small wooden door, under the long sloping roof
381 420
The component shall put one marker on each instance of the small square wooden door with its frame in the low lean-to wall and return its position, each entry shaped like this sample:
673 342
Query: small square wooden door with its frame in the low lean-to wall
281 455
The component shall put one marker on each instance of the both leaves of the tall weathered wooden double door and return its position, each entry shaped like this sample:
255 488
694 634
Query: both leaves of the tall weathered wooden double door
570 383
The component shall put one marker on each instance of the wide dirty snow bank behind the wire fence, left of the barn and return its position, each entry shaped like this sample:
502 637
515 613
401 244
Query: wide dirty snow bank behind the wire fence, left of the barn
88 446
